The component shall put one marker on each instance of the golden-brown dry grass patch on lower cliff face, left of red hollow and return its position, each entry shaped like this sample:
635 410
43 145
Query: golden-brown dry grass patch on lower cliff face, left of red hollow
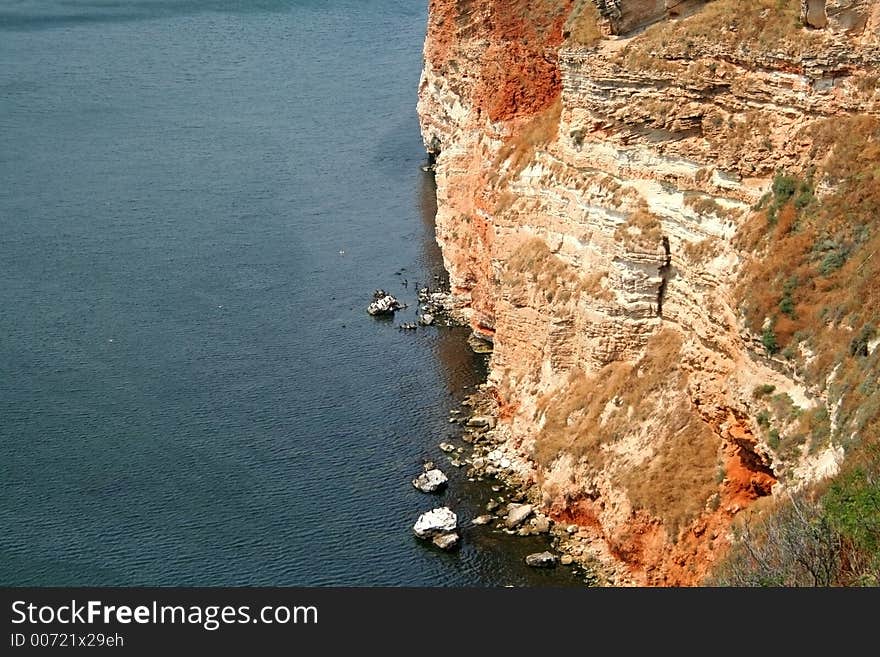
592 410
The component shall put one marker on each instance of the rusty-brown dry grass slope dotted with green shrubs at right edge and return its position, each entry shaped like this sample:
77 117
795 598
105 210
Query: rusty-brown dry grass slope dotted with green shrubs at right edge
814 274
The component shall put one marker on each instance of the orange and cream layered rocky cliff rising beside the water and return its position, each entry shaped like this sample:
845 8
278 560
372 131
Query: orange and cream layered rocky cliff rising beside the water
626 191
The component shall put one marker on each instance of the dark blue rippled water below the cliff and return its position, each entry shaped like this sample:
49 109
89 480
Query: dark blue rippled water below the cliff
197 199
